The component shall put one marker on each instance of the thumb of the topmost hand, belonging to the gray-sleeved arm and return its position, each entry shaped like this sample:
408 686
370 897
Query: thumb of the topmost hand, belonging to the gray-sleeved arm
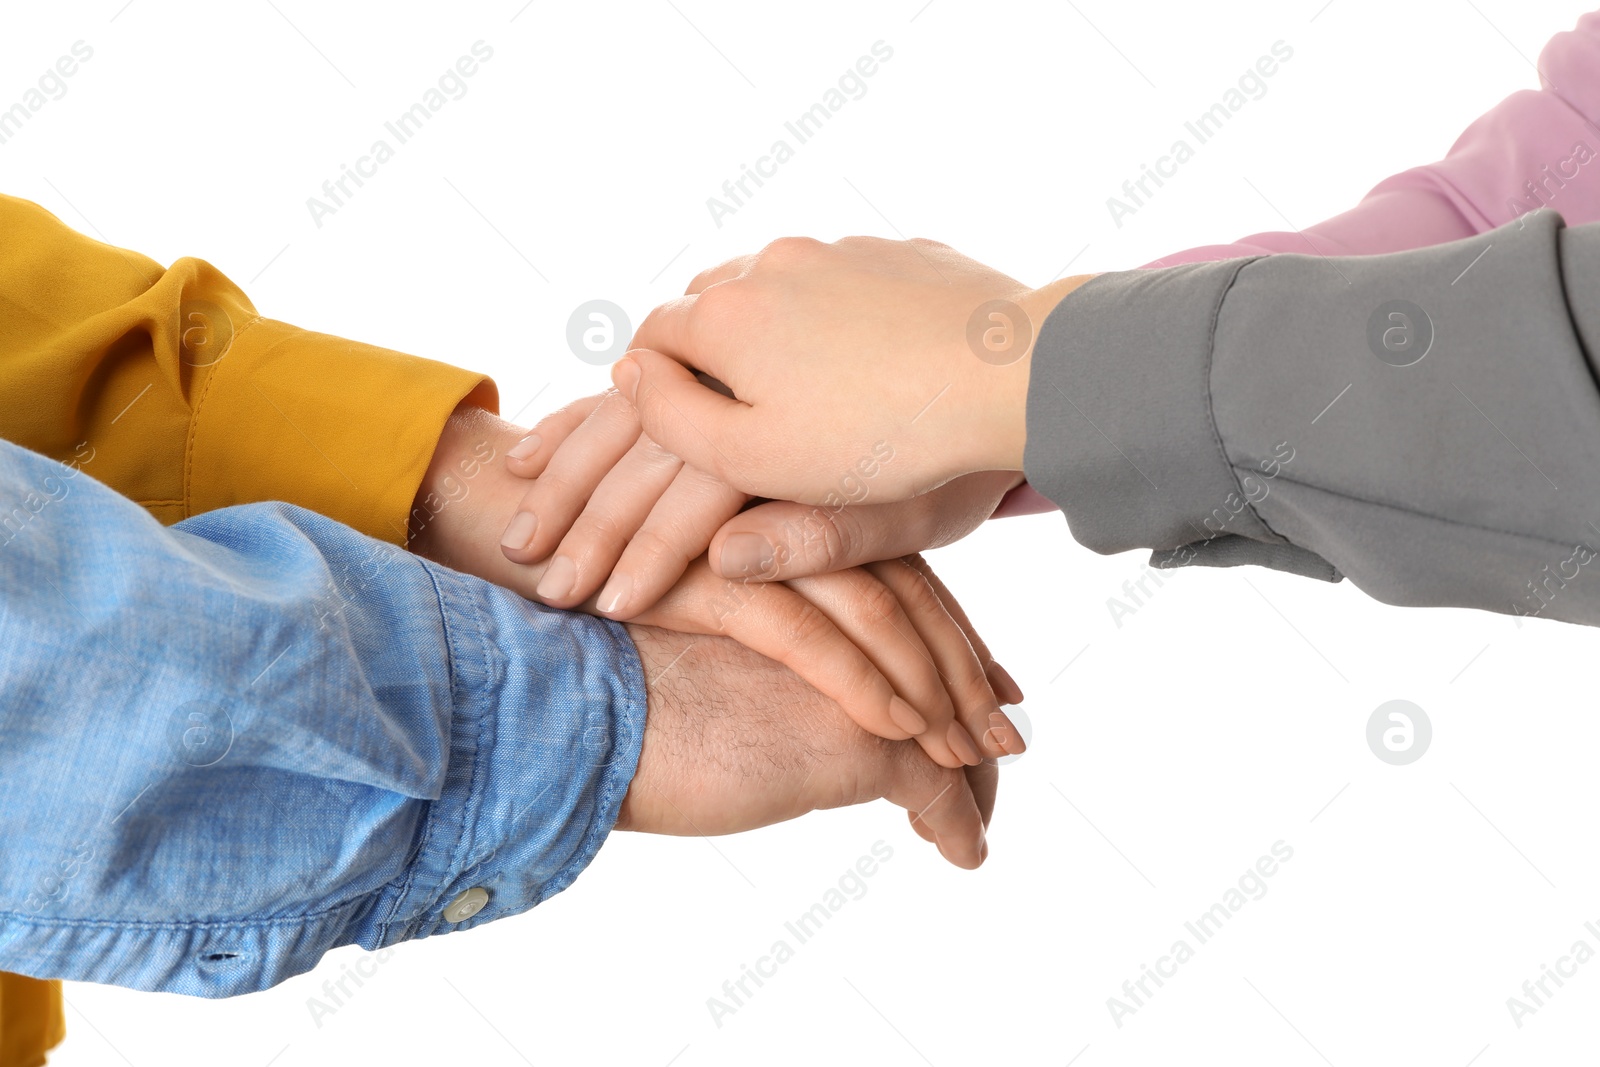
690 420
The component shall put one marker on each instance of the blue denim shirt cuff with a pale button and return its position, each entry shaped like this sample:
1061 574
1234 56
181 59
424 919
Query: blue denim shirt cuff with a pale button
548 762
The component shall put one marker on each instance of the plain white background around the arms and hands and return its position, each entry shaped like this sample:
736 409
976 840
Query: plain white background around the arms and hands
1169 754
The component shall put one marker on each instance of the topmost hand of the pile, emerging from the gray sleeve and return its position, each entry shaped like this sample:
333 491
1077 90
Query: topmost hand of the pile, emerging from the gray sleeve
836 354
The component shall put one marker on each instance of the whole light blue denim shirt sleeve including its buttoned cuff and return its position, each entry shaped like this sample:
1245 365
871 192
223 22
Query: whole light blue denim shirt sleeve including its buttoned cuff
231 746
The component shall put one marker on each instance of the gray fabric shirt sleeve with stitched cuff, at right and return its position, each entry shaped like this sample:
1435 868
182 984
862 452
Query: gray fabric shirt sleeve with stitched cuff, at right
1426 423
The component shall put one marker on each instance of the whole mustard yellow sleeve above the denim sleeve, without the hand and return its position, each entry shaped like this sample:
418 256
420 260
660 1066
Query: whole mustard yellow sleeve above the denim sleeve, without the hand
167 386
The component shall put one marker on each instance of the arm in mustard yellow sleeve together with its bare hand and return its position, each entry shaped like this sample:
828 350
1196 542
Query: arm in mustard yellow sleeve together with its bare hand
169 386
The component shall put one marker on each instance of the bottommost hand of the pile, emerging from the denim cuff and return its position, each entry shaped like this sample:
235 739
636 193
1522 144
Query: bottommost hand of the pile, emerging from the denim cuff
735 741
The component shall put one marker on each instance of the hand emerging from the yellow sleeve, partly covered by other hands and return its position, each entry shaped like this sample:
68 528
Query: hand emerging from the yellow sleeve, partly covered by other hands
886 642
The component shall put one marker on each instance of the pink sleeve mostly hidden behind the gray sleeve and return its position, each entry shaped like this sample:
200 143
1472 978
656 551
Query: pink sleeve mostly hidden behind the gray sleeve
1537 148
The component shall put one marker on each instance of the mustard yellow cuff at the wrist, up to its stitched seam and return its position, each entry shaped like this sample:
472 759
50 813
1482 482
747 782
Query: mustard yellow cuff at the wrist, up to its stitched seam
335 426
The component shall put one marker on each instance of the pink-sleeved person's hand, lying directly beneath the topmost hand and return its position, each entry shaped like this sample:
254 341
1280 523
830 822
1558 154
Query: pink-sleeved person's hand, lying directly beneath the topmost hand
636 524
